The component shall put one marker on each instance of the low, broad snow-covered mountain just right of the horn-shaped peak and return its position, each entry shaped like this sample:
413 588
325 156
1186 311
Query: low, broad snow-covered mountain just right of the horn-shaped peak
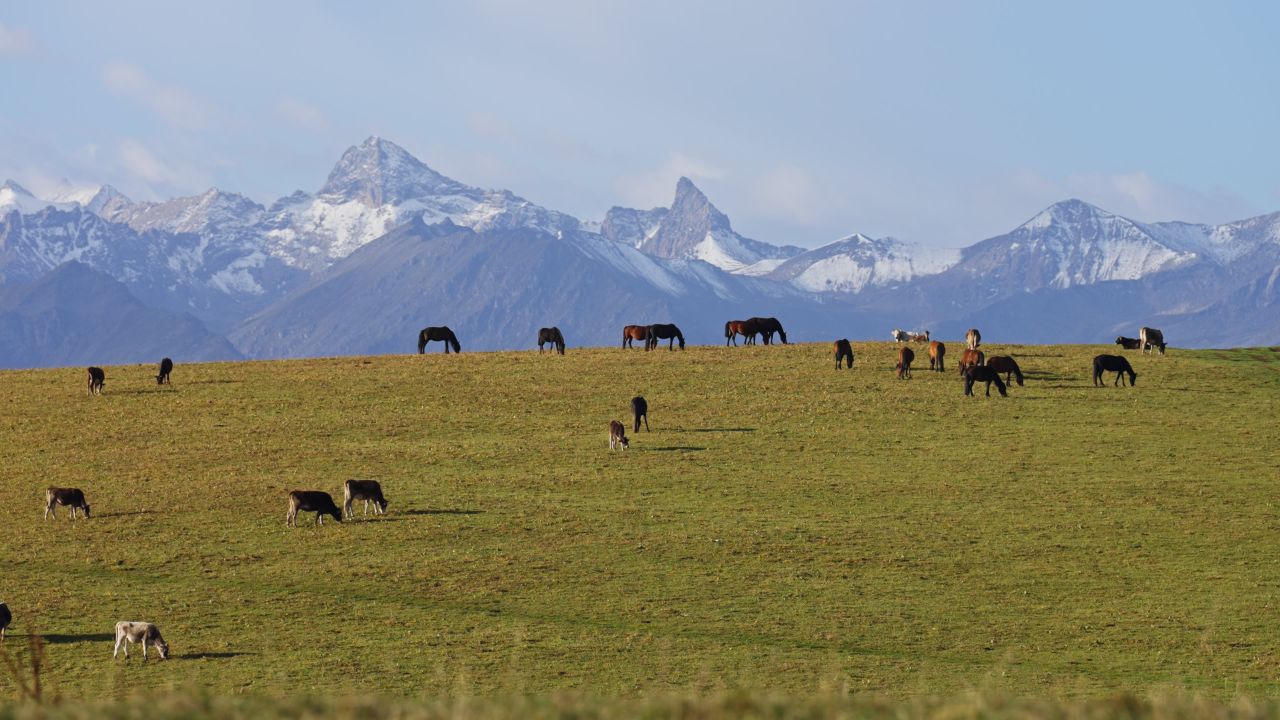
857 262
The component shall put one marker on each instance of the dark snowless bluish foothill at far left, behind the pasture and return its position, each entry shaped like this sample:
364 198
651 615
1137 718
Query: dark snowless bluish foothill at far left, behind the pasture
76 316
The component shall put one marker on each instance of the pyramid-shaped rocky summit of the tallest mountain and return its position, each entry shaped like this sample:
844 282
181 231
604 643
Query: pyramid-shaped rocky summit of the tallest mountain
378 172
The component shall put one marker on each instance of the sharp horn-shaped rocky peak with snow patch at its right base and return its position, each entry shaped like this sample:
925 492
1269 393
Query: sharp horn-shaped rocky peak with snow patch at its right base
693 229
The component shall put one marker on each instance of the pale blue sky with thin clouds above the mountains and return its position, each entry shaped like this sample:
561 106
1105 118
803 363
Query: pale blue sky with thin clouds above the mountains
938 122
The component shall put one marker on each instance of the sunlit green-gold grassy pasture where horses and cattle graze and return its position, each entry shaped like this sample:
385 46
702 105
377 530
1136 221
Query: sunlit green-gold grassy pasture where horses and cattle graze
785 527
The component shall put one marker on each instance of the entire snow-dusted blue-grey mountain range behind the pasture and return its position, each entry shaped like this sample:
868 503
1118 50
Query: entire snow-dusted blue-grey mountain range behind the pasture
388 245
